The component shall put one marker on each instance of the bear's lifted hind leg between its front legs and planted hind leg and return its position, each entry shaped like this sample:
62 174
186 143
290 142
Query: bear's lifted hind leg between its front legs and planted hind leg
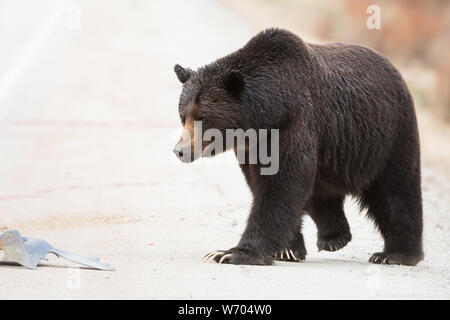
333 231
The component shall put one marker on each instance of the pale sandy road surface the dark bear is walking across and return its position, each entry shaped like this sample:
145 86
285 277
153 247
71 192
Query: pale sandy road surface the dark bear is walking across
87 165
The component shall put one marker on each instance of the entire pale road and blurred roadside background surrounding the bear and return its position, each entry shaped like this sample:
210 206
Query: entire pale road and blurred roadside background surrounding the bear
89 117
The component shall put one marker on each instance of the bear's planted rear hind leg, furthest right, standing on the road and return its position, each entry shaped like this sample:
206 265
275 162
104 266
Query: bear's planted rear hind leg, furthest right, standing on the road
394 203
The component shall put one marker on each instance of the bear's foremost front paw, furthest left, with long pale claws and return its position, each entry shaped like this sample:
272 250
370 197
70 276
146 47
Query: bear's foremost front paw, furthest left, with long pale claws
237 256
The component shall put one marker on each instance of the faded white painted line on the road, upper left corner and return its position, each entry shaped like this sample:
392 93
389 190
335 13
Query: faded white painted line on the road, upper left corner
26 57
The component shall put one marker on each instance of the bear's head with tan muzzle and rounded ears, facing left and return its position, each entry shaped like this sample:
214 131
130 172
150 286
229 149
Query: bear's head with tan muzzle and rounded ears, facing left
209 105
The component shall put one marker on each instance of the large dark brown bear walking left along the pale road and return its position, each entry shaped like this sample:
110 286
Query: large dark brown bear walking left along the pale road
347 126
